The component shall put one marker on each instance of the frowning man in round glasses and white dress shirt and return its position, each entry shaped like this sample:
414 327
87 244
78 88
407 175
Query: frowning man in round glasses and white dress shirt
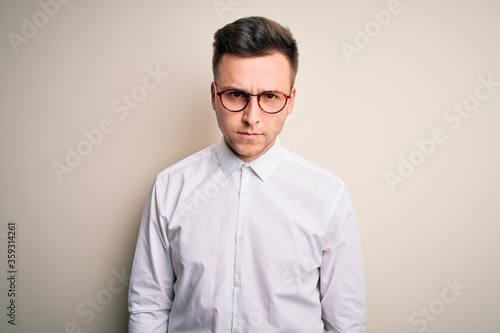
245 236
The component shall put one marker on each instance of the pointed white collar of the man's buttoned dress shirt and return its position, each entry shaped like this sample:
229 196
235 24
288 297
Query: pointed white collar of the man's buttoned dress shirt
263 166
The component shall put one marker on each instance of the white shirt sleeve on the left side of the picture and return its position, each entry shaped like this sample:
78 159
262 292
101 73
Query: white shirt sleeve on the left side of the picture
151 282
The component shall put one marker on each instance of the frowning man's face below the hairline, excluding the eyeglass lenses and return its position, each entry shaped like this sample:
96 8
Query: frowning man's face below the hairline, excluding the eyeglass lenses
251 132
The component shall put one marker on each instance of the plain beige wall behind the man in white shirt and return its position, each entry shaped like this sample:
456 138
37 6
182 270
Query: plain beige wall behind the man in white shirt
355 116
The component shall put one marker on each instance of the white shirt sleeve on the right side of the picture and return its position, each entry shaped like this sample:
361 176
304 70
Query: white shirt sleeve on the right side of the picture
342 287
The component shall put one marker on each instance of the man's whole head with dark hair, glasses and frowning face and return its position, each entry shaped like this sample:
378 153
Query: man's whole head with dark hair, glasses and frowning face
253 56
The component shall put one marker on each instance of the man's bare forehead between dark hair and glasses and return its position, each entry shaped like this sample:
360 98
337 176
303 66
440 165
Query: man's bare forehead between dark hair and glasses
264 72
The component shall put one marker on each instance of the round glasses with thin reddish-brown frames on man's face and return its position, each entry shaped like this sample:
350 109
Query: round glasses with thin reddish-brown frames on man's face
235 100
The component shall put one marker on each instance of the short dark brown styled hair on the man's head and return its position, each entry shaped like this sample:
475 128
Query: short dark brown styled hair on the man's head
252 37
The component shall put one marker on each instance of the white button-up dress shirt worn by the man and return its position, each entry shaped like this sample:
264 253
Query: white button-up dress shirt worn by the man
266 246
